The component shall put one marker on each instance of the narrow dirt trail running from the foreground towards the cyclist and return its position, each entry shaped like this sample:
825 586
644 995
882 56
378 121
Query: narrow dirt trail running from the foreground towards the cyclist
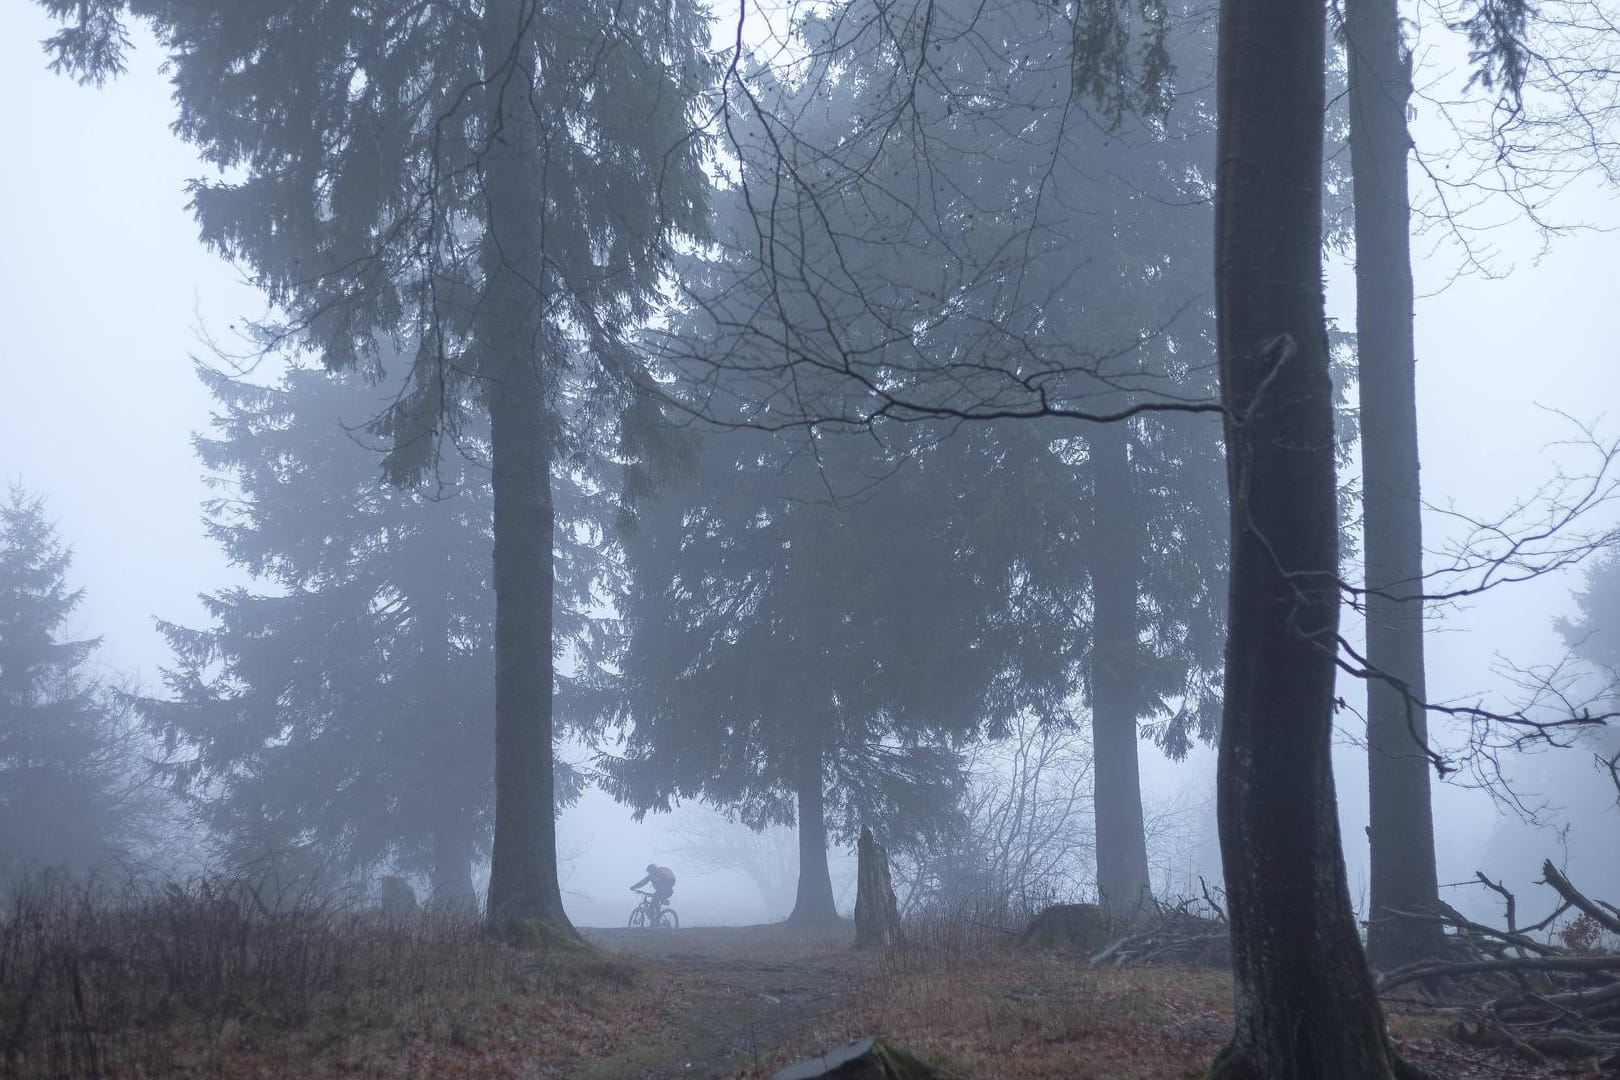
741 997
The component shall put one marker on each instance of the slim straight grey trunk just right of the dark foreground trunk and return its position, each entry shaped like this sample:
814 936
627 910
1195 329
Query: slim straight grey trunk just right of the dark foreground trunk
1402 820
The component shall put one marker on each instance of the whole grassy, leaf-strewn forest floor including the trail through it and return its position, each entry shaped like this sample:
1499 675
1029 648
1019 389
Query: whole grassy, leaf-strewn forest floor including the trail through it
189 987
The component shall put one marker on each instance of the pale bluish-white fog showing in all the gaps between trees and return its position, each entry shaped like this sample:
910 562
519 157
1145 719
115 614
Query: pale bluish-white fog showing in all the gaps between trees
109 297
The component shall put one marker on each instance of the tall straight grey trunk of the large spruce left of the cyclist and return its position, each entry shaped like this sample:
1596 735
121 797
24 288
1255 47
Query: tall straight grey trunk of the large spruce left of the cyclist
511 338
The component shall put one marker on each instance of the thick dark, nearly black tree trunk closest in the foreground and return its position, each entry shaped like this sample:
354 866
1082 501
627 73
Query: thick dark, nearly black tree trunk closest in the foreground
1303 997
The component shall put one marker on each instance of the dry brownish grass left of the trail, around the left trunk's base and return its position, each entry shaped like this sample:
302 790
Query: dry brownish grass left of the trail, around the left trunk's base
211 980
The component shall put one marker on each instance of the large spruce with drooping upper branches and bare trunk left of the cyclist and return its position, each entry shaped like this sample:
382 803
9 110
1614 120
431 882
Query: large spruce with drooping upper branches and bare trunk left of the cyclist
488 187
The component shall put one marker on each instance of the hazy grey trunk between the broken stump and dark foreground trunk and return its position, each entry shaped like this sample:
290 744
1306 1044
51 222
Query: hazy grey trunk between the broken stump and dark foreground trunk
1122 841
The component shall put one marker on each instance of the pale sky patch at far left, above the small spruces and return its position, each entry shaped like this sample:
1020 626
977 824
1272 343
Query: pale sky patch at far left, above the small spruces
104 289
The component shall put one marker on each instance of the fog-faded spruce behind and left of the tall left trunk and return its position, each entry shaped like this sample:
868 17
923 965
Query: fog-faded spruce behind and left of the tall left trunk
339 713
